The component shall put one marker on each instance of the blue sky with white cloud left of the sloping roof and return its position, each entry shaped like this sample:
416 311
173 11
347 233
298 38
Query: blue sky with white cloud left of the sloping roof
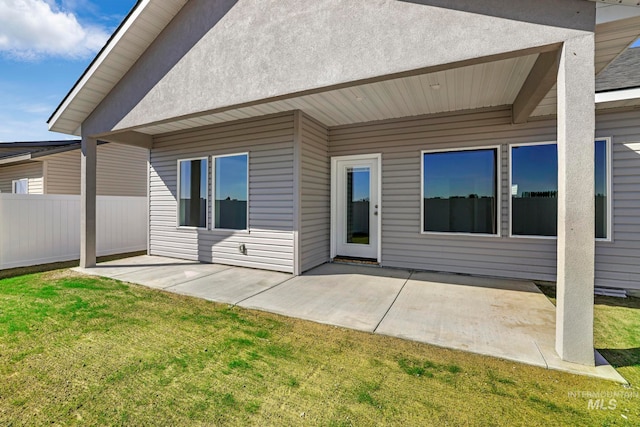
45 45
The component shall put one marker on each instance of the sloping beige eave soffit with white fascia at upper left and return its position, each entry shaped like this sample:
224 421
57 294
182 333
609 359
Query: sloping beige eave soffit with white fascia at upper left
141 27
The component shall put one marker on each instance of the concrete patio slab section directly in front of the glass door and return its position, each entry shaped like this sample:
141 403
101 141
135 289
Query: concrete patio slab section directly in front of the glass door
355 297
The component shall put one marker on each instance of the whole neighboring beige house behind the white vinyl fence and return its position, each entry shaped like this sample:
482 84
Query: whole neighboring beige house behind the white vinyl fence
53 167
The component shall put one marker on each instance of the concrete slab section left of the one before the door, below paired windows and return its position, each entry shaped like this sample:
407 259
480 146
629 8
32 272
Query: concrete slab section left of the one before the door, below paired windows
232 285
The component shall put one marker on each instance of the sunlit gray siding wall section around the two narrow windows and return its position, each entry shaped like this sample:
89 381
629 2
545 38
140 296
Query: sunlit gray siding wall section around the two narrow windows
269 241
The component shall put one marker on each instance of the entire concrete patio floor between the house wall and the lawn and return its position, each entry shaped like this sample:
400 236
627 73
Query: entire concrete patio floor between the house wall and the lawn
508 319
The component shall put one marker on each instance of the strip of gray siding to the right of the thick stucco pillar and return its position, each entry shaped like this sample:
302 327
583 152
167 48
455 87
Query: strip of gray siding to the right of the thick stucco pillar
618 261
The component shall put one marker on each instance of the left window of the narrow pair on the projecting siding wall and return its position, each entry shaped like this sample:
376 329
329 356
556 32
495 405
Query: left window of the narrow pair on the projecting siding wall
192 193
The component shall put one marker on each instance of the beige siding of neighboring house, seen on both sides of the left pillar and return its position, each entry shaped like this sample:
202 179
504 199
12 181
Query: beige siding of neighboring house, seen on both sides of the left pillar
121 171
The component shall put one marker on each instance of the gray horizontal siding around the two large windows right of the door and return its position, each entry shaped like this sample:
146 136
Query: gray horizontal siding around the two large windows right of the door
400 142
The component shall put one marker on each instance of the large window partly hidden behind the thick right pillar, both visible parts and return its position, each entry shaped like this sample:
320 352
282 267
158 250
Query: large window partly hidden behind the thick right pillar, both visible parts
534 190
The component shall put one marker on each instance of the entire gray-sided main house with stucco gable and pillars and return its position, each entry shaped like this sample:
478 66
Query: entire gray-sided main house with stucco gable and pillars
417 134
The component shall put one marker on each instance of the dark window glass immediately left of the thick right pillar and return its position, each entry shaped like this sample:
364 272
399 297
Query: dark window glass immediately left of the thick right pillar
534 190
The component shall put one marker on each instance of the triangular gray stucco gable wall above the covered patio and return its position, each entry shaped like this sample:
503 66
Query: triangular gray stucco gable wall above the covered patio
220 53
